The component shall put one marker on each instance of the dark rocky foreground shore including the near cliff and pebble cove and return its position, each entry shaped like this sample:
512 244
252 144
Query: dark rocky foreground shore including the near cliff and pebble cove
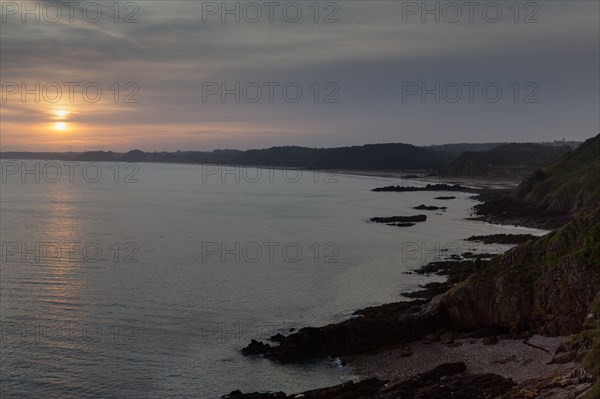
484 303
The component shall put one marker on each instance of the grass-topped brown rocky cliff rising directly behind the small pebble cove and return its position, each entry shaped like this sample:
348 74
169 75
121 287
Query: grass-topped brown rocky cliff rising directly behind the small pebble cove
545 285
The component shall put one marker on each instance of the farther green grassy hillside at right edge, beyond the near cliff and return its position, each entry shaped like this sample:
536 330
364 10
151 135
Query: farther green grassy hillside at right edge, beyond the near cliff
570 184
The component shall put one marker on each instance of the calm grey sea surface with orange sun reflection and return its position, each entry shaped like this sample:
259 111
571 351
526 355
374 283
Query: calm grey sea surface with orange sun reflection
123 282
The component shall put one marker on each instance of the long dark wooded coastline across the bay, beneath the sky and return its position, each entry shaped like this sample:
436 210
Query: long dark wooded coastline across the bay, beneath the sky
505 164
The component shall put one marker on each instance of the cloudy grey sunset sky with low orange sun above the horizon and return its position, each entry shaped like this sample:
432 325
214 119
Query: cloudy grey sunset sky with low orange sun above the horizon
194 75
